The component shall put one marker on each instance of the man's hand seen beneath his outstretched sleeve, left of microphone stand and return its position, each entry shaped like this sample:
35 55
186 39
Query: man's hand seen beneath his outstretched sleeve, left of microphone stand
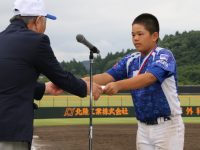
52 89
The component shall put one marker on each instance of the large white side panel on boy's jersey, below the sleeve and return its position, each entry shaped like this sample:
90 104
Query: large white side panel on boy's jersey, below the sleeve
170 90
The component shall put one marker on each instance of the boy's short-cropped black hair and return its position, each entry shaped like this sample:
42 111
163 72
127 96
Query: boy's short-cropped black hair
149 21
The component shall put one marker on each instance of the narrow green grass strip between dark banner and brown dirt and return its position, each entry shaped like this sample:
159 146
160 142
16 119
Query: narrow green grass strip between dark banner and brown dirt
85 121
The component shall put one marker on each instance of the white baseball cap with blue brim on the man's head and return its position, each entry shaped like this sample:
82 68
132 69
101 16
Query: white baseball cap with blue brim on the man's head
31 8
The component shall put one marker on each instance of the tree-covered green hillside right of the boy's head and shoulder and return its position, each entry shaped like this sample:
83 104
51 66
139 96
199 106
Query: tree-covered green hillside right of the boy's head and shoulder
186 49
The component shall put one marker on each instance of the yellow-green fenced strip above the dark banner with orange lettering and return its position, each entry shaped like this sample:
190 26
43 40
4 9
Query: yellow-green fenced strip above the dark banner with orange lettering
116 100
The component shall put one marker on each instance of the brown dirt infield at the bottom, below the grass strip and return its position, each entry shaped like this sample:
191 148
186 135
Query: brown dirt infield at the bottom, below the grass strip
106 137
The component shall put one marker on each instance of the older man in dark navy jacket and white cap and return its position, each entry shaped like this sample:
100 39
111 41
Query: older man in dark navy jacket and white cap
25 52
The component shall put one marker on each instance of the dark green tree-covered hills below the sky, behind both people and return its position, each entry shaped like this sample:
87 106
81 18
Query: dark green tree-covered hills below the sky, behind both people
185 47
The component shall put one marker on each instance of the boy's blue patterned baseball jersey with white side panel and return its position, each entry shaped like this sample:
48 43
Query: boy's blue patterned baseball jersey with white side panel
159 99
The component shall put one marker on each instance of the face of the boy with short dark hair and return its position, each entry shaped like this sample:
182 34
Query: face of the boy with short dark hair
142 39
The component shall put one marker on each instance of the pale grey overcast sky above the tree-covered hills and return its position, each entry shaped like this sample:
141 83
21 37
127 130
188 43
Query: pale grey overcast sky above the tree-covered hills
107 23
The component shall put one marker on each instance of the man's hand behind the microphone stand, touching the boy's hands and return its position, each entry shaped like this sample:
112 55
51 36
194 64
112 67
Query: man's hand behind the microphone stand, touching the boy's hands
96 91
